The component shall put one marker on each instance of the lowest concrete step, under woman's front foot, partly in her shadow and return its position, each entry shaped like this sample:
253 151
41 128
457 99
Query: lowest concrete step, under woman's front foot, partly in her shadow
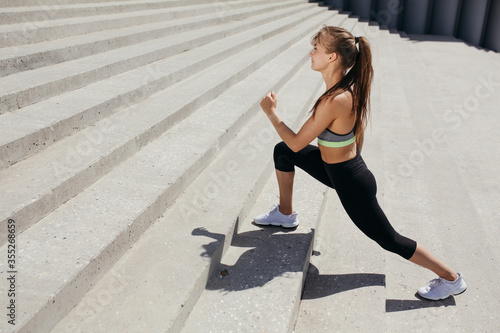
268 276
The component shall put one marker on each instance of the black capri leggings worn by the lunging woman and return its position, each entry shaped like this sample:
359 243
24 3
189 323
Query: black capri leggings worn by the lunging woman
357 190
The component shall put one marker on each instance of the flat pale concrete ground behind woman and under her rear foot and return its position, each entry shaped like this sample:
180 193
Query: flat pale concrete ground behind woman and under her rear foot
439 193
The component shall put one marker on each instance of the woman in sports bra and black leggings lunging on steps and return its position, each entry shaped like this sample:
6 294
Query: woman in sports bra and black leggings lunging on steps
338 120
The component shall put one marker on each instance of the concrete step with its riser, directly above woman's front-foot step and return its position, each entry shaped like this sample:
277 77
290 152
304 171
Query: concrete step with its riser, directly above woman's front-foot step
215 215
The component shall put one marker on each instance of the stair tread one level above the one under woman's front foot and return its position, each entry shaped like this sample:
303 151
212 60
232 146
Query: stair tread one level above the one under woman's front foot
214 219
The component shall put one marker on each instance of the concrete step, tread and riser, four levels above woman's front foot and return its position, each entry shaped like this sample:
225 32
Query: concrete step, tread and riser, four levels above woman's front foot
48 121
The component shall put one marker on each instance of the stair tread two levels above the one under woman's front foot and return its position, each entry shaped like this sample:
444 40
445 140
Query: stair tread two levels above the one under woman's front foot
141 192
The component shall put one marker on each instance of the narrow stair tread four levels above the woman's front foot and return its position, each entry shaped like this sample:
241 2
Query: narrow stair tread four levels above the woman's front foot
54 110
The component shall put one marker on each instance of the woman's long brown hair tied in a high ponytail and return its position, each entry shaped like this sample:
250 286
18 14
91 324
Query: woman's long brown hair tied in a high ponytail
359 76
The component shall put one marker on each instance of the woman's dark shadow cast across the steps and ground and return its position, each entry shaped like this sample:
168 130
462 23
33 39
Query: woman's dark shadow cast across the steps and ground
275 251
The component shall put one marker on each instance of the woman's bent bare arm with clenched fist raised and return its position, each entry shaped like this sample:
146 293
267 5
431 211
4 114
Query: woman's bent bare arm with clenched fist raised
323 117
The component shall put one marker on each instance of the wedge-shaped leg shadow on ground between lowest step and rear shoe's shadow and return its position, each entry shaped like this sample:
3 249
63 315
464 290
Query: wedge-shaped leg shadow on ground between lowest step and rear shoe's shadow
320 285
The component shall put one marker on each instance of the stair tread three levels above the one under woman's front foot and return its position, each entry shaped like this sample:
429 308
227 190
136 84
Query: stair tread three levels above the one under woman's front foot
126 127
